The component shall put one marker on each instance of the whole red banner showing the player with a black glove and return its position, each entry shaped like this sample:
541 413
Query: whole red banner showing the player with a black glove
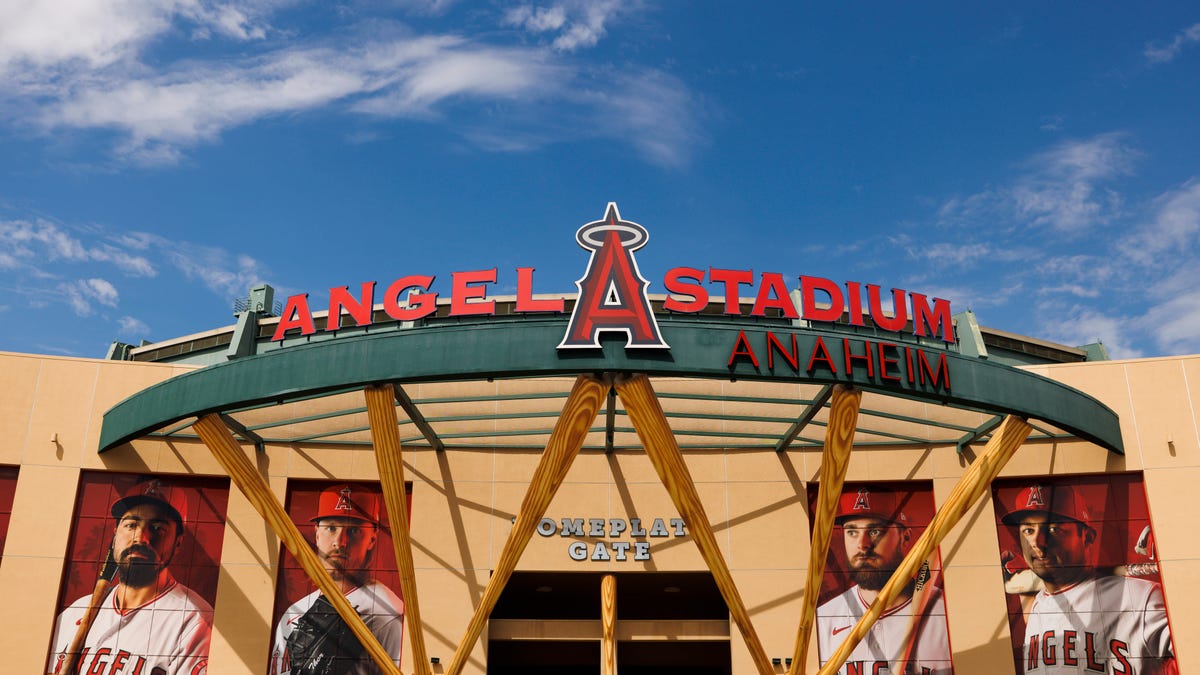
347 525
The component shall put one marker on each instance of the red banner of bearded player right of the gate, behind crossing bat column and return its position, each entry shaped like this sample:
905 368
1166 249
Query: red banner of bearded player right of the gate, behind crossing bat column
875 528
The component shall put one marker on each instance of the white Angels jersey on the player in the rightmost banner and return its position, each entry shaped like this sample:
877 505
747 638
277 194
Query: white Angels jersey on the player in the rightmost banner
1109 625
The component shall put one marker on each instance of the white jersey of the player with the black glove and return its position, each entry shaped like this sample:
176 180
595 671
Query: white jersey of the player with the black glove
381 611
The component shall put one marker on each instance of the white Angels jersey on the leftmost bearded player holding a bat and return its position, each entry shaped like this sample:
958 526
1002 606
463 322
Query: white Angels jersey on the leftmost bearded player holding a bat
169 636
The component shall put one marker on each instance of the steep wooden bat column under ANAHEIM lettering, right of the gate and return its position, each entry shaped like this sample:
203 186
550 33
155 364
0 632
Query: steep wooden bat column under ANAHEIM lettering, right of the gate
835 461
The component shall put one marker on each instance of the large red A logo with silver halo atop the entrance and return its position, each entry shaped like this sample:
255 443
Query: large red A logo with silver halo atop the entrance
613 291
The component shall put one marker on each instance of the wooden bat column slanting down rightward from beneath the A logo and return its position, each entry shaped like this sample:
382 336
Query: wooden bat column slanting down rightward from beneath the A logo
656 434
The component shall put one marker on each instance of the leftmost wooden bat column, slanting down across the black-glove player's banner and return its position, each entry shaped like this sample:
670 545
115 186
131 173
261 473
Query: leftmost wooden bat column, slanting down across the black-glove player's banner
225 447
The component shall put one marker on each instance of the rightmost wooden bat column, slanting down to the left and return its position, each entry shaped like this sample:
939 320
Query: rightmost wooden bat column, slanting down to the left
1010 437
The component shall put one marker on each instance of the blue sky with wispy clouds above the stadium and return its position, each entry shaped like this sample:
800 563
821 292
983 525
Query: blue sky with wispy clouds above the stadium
1036 163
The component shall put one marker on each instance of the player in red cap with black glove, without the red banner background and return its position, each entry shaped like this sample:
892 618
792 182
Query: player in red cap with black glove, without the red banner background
310 637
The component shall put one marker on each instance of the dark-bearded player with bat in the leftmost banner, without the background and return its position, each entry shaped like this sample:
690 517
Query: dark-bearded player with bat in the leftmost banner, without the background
140 617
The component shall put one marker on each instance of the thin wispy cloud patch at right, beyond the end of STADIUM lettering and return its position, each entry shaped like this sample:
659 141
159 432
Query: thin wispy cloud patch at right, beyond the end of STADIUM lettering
1130 284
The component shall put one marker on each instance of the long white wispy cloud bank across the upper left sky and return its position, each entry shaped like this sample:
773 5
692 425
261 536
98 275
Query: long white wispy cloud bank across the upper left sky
101 76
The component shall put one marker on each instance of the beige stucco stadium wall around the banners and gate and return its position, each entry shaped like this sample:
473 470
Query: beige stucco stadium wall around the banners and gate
464 503
